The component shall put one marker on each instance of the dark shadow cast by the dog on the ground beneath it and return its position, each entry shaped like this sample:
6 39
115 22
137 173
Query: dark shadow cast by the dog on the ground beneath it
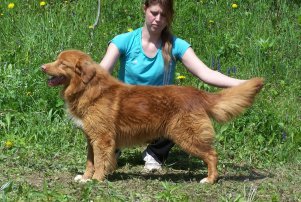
181 167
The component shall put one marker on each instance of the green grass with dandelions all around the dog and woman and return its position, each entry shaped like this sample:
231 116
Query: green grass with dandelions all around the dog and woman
259 152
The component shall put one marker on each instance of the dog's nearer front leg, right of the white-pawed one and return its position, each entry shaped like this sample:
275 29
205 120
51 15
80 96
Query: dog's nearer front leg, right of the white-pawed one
104 157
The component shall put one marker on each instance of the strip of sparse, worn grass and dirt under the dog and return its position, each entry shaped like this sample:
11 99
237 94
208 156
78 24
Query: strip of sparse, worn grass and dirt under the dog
178 181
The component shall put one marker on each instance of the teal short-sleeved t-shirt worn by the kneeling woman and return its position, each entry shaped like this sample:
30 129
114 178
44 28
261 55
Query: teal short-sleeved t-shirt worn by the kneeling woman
139 69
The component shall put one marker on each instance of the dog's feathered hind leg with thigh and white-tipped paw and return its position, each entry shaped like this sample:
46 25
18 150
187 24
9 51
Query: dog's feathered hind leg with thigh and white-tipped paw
197 139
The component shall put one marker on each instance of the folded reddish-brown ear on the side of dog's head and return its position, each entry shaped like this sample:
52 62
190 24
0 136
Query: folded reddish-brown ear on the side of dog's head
86 70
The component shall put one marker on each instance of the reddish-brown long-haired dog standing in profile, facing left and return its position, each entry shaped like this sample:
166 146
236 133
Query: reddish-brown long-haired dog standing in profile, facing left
115 115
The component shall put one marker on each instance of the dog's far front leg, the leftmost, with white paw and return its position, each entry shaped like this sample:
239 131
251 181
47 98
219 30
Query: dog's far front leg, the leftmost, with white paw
89 165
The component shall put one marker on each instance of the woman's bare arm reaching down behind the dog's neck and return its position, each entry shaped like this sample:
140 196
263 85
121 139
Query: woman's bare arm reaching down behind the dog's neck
110 58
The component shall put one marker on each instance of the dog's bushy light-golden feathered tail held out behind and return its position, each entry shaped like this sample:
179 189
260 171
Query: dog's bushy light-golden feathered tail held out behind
231 102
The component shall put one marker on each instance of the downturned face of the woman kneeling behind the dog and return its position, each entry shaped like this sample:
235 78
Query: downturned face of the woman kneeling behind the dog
155 18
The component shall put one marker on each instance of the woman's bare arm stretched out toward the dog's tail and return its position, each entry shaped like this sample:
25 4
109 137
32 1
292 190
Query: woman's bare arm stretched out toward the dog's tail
209 76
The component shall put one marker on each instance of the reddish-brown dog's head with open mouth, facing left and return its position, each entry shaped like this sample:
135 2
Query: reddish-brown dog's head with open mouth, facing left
71 66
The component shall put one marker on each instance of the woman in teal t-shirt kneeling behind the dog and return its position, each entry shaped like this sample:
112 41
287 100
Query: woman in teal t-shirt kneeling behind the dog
148 56
